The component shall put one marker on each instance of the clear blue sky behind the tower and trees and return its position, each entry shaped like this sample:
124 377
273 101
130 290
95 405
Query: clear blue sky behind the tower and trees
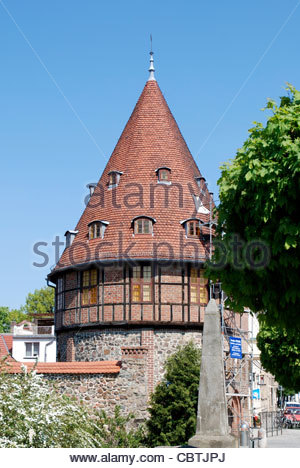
71 73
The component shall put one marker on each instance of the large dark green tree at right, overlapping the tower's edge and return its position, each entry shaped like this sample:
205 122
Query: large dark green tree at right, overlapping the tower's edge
259 199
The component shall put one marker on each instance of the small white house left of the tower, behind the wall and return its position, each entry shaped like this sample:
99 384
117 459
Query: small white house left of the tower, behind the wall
32 342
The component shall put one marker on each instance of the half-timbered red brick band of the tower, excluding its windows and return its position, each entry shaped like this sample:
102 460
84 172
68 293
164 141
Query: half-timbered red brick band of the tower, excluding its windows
170 298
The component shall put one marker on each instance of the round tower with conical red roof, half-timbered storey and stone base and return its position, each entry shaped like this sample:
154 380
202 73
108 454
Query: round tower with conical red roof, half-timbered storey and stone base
131 275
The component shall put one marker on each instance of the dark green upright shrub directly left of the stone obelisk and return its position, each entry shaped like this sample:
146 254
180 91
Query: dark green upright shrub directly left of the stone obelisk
173 405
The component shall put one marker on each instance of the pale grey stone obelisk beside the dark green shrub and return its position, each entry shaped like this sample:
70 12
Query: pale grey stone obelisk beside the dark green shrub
212 420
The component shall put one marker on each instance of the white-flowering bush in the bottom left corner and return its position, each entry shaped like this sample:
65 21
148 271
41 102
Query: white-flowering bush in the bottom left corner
34 414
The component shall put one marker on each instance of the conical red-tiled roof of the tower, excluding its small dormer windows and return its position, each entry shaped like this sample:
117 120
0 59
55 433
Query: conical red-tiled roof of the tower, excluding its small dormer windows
151 139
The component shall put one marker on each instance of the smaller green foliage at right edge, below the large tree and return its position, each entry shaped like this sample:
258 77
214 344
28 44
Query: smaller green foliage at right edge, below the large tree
280 355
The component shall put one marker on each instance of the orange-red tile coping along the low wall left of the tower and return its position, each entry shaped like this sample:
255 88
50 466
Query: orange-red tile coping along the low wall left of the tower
96 367
